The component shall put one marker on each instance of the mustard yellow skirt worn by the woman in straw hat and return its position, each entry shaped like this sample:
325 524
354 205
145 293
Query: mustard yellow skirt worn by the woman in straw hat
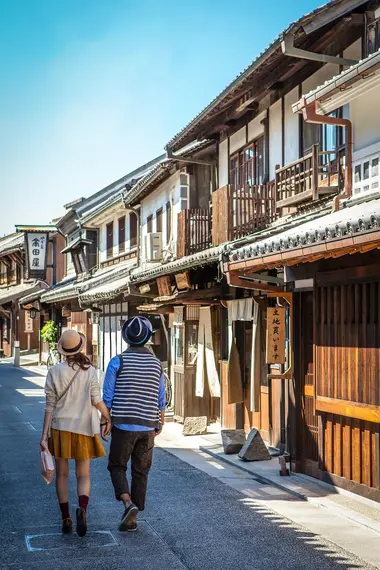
67 445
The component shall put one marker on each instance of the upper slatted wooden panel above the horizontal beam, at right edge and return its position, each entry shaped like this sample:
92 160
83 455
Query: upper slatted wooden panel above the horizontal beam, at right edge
348 342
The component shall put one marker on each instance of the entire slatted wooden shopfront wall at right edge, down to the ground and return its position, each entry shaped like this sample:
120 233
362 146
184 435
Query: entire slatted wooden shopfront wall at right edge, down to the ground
347 379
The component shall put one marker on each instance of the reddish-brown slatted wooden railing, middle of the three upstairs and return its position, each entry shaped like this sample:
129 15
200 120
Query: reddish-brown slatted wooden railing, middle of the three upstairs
240 212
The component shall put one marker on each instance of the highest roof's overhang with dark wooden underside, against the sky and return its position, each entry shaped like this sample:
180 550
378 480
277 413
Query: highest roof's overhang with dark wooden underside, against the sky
255 82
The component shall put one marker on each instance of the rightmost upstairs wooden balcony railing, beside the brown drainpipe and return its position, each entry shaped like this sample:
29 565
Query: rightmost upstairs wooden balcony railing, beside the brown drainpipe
309 178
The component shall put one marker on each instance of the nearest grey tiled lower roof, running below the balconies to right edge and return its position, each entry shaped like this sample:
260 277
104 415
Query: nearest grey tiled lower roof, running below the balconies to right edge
359 217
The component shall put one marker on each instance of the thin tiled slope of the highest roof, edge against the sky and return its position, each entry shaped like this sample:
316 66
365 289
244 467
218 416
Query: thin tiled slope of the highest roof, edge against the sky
232 90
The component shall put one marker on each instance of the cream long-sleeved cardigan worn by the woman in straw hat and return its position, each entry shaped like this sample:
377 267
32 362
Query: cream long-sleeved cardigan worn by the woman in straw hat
76 411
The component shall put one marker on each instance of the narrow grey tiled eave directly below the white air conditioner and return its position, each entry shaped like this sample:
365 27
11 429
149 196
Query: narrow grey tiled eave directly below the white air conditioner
205 257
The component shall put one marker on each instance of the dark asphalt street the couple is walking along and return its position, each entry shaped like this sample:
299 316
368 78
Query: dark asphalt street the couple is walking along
192 520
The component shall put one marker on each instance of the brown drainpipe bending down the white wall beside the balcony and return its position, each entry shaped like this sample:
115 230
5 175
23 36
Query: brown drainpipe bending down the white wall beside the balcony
310 115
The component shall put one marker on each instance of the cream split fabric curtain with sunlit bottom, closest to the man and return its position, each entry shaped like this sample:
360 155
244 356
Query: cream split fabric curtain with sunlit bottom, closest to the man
206 351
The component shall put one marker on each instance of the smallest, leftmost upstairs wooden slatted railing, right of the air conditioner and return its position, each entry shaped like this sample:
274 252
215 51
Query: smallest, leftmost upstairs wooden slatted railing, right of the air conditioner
194 231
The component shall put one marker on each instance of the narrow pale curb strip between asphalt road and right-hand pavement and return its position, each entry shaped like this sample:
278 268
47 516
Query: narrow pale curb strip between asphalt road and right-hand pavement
321 502
